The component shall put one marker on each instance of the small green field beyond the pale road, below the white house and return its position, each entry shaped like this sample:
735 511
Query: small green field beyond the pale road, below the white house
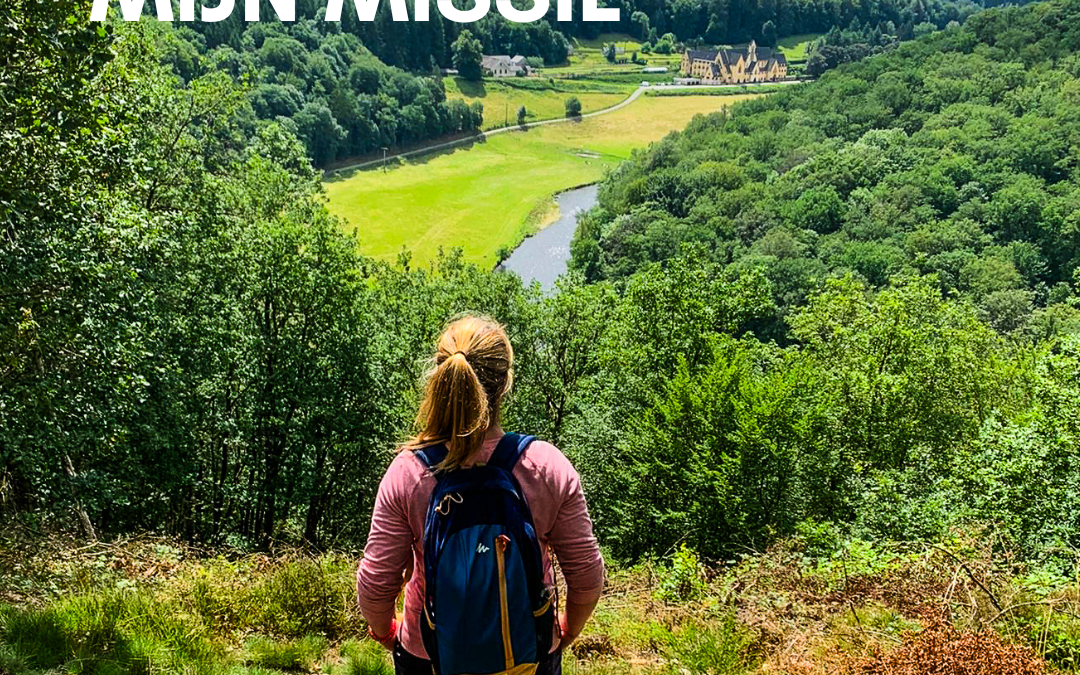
544 100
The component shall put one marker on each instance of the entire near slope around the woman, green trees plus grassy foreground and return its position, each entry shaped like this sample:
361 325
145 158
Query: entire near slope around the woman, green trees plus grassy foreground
818 367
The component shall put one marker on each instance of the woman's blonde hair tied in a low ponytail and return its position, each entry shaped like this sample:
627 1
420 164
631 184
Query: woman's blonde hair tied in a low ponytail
468 380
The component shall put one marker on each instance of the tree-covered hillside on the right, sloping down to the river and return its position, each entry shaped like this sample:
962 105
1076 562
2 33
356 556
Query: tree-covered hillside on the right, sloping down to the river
955 156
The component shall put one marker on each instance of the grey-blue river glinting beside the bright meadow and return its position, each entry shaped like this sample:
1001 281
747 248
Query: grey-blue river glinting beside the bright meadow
544 258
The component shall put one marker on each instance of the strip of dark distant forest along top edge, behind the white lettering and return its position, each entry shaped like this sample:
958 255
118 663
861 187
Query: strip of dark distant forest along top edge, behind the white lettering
423 46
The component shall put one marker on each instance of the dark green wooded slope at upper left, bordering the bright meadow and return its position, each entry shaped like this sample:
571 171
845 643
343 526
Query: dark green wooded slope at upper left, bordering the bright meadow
327 89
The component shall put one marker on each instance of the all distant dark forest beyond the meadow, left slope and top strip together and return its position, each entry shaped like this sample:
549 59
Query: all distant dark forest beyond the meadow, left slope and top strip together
353 88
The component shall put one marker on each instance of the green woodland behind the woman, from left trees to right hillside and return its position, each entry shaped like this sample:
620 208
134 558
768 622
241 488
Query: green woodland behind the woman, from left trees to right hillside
846 309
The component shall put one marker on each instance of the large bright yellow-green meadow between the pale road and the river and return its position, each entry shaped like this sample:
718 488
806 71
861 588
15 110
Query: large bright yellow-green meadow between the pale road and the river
480 198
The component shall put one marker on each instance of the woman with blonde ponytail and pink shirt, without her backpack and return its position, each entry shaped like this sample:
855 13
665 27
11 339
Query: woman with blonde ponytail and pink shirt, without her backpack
470 379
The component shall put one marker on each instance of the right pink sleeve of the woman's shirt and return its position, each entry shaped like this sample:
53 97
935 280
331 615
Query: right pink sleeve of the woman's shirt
573 541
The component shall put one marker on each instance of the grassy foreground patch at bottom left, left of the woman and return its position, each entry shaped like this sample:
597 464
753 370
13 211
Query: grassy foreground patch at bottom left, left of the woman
285 614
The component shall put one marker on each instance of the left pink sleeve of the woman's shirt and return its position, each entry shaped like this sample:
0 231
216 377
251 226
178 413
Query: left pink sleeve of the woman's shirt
389 548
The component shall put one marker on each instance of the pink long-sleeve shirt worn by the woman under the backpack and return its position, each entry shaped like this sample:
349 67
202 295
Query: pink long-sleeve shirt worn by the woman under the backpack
396 542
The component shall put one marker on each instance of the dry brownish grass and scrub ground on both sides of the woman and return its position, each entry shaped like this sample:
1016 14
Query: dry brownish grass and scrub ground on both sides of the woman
958 610
